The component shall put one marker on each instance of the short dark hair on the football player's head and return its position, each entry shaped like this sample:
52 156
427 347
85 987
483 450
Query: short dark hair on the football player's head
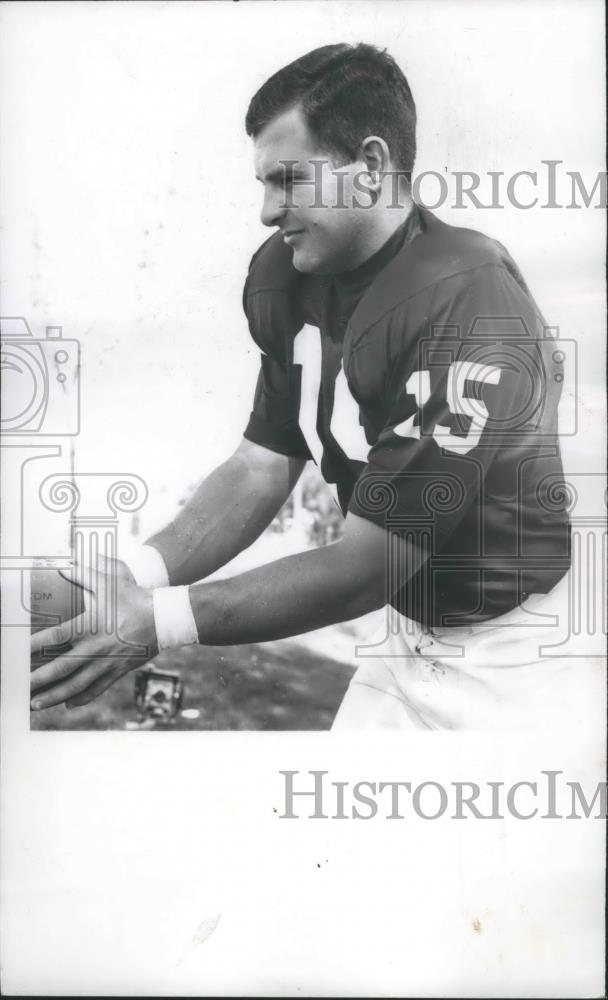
346 92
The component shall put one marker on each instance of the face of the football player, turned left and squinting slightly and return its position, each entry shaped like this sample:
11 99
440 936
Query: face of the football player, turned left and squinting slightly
314 207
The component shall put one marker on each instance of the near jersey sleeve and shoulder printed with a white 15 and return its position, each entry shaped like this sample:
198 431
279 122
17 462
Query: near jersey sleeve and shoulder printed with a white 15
472 393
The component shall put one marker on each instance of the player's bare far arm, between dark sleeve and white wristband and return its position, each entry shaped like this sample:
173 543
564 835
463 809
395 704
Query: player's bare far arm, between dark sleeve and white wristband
228 512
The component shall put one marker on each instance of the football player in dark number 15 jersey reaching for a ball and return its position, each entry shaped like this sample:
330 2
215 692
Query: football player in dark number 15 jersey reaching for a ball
408 359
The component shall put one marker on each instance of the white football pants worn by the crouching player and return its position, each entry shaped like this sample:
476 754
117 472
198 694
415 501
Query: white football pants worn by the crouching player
536 667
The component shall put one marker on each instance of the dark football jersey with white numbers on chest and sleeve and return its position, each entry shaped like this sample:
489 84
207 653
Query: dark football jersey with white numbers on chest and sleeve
425 386
